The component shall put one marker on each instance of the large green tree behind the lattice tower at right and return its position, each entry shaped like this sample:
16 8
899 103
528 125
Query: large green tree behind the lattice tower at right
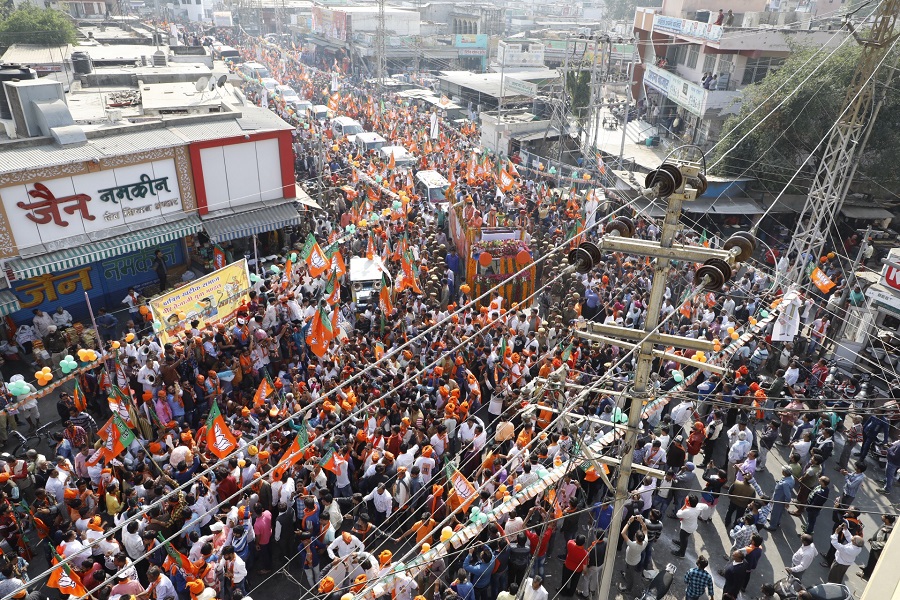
787 137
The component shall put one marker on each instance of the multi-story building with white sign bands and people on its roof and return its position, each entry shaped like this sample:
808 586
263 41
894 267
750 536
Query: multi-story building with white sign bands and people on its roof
693 70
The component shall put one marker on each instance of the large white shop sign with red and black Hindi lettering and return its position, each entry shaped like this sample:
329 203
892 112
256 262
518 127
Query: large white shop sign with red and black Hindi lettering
55 209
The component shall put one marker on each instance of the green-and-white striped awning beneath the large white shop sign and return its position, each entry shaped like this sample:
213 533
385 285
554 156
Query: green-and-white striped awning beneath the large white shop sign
62 260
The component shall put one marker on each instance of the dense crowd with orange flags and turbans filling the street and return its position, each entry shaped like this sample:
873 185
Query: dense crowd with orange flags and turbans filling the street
331 444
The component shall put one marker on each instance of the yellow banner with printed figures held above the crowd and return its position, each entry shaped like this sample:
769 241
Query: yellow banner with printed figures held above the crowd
211 299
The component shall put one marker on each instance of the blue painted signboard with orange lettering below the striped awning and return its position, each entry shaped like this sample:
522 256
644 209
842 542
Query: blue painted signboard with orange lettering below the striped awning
106 282
